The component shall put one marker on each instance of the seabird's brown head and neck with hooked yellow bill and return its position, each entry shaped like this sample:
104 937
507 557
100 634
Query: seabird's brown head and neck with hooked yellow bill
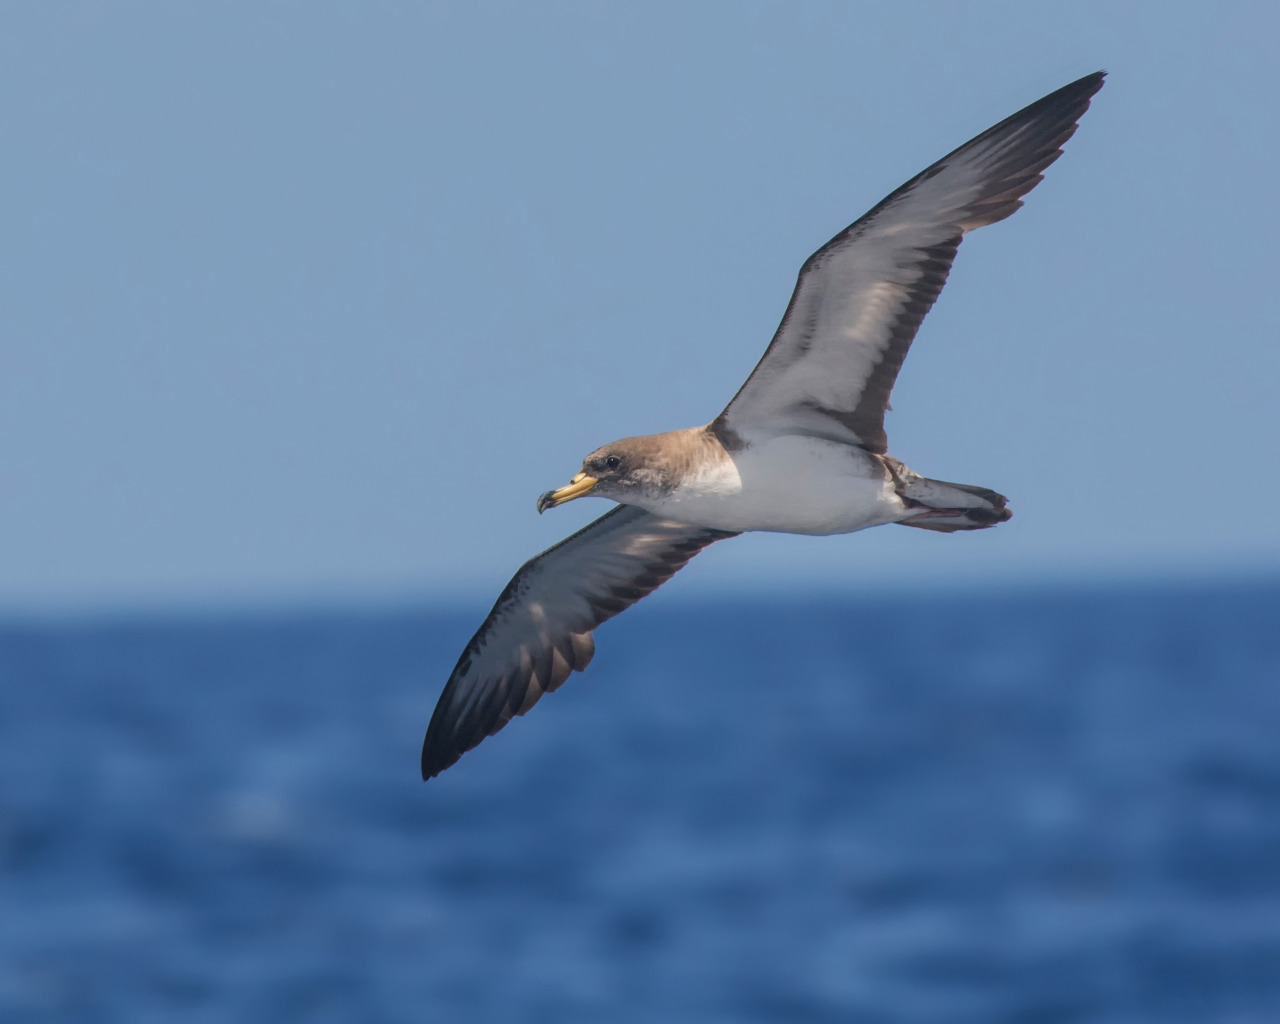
630 469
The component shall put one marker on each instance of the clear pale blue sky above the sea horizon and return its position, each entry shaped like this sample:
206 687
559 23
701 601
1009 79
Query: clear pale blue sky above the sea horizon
310 301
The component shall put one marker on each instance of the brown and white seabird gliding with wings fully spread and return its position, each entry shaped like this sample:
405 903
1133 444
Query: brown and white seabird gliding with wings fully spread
801 450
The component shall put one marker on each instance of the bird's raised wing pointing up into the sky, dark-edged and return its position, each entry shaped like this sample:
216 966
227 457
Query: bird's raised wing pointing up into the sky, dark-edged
861 299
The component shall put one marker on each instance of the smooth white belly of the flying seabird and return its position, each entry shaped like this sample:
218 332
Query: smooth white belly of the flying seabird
792 486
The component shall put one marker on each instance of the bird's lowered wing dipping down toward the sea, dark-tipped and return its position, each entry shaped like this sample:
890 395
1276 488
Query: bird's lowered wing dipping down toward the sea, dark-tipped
541 629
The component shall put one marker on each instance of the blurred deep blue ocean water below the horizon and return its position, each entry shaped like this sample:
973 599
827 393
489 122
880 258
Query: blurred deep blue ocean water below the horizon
1023 808
